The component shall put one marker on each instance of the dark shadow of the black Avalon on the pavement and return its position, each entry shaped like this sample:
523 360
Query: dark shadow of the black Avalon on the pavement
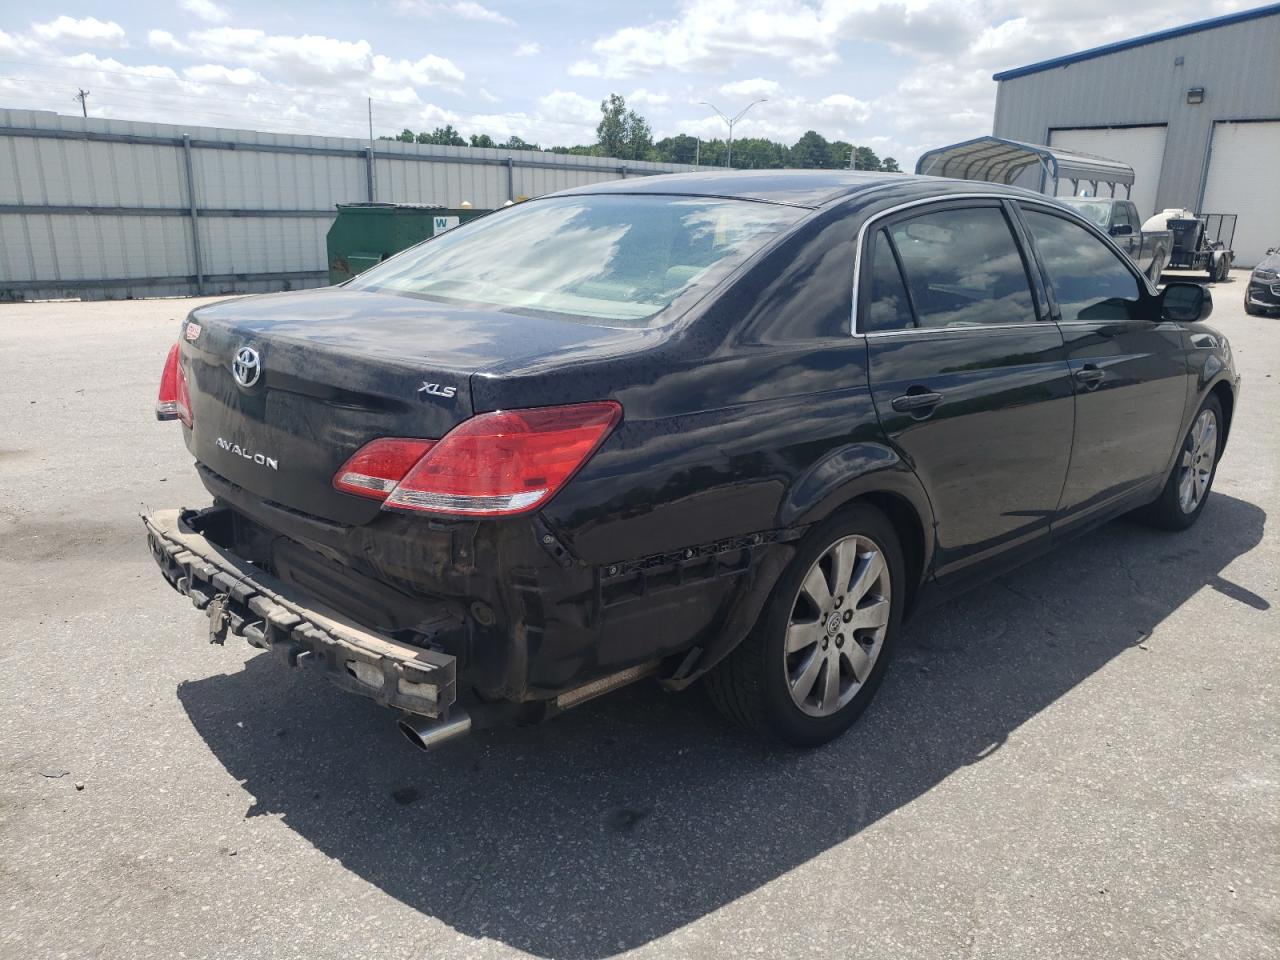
643 812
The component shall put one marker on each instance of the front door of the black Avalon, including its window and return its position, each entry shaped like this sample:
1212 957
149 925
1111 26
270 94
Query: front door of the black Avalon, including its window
1128 368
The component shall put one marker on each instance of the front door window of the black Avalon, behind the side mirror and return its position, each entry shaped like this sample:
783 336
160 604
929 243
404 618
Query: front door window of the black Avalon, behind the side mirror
1090 282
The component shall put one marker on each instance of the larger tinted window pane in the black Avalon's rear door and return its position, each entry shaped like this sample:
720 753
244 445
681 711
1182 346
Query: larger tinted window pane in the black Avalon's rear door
963 269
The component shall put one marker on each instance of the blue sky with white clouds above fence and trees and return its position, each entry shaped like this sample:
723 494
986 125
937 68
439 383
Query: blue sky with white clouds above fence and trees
900 76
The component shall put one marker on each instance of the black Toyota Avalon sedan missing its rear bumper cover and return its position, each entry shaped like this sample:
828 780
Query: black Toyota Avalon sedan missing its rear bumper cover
732 428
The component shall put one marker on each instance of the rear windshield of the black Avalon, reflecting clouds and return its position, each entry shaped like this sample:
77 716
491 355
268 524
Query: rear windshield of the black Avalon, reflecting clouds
610 260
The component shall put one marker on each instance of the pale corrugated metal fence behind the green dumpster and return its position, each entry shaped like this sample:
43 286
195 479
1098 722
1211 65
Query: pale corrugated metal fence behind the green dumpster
113 209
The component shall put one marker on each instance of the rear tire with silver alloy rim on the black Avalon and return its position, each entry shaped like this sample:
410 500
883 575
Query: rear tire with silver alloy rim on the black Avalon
826 636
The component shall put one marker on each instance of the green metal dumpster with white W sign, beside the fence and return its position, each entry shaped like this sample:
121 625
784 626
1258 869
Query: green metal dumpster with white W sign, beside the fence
365 235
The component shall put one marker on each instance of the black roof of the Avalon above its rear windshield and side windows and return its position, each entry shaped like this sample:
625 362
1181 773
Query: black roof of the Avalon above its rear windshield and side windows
810 189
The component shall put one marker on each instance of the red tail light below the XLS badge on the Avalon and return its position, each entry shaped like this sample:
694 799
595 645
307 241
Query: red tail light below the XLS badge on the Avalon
500 464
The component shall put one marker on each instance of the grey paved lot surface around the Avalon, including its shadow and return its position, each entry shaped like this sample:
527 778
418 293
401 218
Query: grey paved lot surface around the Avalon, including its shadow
1077 761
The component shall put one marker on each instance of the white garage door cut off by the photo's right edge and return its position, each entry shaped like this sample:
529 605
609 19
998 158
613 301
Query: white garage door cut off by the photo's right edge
1242 180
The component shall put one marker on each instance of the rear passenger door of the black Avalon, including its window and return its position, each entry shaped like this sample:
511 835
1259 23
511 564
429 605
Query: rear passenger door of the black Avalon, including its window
970 377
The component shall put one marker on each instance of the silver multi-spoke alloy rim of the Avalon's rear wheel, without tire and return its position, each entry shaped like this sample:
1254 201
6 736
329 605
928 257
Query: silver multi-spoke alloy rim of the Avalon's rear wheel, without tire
838 625
